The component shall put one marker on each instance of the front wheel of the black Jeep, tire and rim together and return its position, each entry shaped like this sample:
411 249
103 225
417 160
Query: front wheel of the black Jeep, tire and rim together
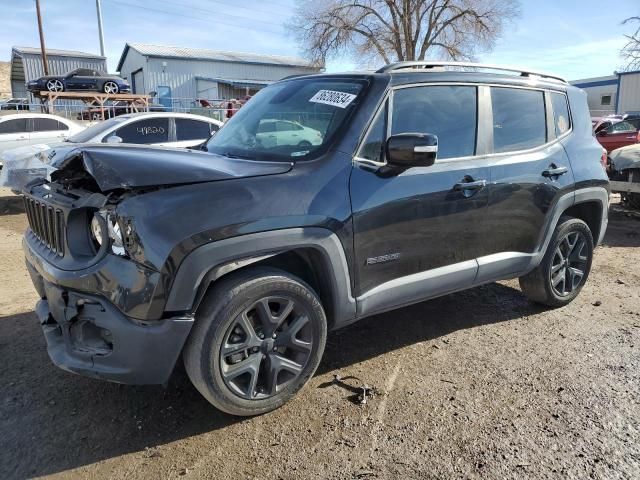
234 315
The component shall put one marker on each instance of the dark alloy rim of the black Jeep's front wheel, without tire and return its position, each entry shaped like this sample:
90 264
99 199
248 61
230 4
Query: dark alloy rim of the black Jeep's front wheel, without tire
266 347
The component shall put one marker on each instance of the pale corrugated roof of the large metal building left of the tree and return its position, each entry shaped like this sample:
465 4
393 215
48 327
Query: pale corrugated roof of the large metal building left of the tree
217 55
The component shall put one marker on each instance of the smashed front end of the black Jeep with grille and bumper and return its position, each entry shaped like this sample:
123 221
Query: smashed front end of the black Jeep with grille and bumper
100 311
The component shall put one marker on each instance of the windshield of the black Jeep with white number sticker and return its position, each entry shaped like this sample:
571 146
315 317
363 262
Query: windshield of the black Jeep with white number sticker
288 120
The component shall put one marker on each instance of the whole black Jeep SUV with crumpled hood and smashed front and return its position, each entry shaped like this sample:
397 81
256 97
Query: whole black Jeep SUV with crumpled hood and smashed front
378 190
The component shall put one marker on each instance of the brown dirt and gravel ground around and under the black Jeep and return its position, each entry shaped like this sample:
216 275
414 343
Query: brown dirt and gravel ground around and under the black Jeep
478 384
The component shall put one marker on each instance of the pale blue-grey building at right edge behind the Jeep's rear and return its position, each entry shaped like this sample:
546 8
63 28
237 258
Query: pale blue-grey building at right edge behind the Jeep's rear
618 93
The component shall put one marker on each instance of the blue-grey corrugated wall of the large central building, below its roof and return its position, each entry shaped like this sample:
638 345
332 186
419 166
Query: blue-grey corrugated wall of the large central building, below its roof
180 75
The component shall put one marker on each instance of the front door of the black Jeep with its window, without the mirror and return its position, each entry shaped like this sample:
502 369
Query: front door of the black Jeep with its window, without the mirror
417 234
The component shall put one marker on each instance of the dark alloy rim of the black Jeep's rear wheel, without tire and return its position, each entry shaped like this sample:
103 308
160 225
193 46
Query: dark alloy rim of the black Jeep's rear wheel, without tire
569 264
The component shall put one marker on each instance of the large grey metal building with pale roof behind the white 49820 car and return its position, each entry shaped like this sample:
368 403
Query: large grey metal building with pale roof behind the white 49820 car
184 75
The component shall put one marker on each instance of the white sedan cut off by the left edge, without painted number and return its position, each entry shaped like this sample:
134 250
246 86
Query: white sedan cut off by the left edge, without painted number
21 129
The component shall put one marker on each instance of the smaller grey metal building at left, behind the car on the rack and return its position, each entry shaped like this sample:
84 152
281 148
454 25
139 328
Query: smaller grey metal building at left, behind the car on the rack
26 64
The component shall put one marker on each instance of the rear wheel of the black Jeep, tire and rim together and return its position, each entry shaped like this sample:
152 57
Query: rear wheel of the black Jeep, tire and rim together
571 236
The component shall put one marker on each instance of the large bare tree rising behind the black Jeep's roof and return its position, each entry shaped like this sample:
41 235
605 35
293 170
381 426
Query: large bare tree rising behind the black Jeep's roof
397 30
